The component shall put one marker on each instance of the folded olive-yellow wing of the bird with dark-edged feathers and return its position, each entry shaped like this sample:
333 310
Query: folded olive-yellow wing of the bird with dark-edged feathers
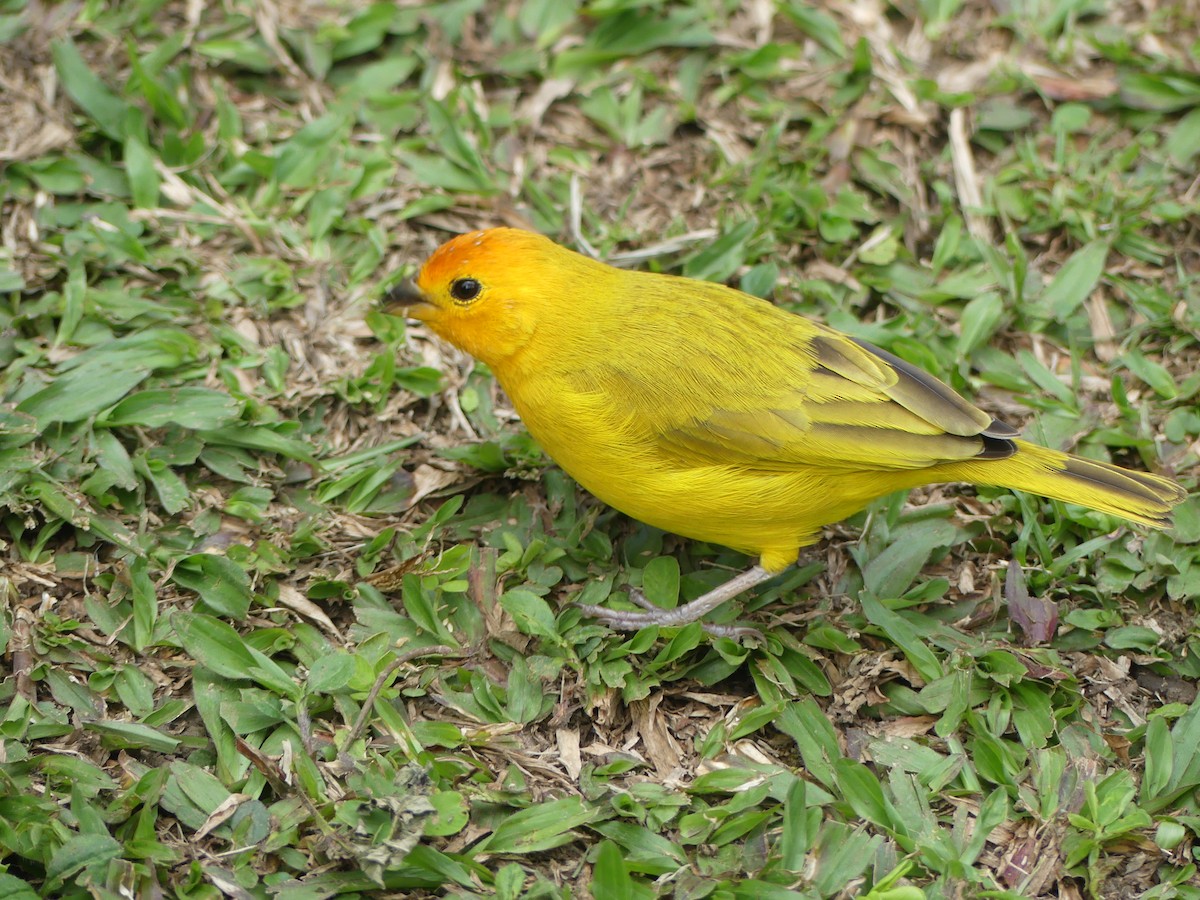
848 405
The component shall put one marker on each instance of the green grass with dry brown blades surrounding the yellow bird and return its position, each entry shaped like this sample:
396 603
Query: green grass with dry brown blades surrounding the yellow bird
287 590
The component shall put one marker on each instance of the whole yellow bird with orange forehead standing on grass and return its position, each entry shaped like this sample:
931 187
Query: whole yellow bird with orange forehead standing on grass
706 412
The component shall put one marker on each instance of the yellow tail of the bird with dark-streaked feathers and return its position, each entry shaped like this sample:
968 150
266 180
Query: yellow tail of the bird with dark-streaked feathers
1137 496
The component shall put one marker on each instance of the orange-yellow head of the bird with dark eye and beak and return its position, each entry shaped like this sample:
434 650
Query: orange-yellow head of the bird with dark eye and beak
488 292
